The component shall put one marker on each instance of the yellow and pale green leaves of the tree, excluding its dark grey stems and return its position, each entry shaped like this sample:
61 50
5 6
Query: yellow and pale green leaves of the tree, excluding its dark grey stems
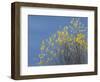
64 39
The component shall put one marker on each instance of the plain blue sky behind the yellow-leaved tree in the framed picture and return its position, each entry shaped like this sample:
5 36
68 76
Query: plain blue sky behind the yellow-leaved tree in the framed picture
39 28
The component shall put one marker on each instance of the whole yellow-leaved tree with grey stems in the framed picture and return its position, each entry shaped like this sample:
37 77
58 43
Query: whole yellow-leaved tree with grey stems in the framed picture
67 46
